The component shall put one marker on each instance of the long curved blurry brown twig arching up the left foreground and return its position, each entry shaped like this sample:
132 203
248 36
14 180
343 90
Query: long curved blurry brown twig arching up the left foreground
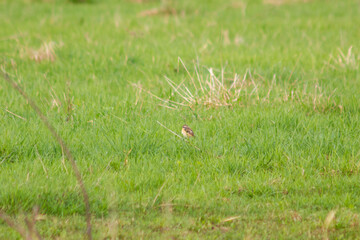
63 146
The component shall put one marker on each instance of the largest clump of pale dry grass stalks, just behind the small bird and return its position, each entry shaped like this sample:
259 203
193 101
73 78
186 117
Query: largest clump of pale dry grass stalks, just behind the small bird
209 88
